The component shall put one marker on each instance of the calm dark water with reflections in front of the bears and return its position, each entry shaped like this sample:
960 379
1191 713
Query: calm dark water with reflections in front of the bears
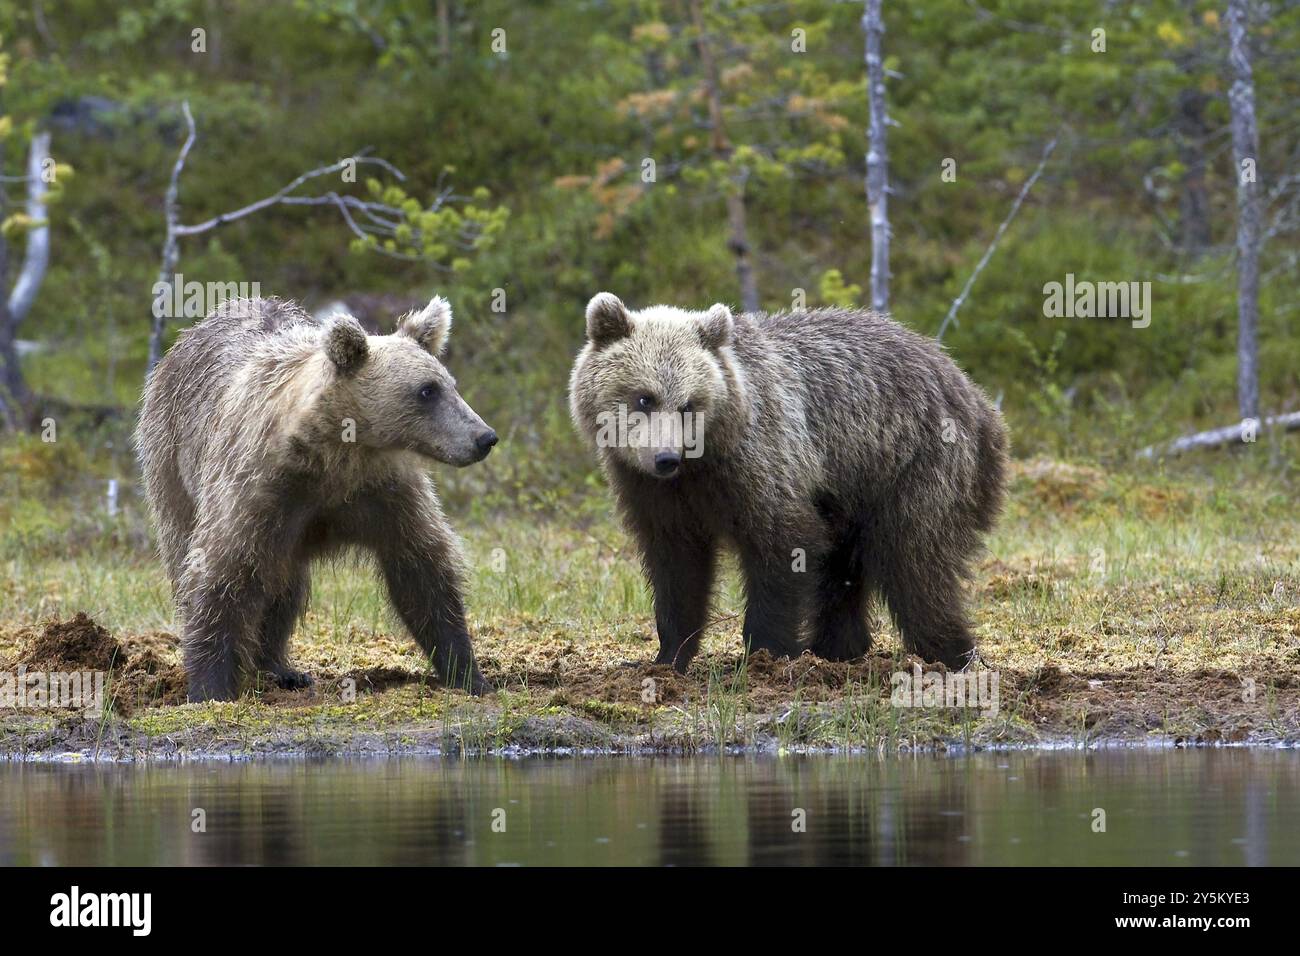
1162 808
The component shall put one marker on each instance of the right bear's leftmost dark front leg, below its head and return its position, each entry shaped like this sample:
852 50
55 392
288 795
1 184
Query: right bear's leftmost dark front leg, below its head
682 577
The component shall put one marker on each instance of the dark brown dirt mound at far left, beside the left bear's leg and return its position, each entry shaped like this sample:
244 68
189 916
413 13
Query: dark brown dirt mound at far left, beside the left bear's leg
138 671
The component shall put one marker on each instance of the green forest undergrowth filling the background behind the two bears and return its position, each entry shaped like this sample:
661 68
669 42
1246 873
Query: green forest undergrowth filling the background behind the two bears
543 149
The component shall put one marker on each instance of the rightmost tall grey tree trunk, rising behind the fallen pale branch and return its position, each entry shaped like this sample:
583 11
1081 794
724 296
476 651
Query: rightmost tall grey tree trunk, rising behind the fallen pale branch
1246 149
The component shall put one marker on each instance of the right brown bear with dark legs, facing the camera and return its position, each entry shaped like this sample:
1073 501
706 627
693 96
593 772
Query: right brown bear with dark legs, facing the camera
840 455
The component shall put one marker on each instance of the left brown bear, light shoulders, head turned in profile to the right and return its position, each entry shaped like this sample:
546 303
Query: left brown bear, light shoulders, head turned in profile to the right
268 440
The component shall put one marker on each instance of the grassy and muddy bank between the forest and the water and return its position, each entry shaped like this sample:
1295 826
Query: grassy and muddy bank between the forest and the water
1112 607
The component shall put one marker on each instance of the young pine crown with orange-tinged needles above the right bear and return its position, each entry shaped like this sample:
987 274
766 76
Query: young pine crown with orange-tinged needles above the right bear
781 109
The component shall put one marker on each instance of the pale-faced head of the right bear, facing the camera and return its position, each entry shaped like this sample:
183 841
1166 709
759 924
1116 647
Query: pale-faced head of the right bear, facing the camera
649 382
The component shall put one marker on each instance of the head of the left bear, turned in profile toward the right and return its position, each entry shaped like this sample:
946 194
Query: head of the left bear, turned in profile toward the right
397 391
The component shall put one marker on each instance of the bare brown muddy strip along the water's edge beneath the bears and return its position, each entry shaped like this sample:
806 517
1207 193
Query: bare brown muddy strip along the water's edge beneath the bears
557 694
